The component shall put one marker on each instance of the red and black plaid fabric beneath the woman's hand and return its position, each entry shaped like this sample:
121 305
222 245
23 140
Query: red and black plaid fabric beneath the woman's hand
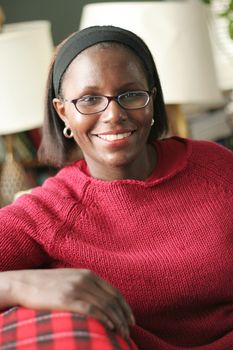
25 329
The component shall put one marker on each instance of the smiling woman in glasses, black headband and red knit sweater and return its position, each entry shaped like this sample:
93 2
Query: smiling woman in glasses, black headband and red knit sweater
138 234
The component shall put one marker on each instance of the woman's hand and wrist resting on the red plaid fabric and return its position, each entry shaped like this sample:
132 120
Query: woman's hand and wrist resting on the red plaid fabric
75 290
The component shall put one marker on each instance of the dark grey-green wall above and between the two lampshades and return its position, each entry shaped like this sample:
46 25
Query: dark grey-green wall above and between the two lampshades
63 14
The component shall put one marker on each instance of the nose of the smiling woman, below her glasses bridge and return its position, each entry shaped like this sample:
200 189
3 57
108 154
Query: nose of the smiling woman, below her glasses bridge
114 113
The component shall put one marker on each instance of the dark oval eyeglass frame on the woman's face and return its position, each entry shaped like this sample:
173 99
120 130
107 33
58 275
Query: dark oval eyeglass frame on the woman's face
112 98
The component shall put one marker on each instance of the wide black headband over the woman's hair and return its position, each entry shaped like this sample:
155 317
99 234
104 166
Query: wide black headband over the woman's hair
90 36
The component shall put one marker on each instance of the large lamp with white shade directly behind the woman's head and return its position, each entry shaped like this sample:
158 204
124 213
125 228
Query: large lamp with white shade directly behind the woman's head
176 33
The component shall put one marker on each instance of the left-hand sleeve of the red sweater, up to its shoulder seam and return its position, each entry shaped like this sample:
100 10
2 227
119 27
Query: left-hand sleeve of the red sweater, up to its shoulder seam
30 227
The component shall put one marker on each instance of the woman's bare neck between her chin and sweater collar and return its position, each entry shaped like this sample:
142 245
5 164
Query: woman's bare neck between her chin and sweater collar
139 169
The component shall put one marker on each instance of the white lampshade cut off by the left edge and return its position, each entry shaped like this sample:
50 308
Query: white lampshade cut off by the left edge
25 53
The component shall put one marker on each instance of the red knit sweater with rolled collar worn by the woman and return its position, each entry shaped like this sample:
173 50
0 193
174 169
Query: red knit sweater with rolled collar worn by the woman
166 243
